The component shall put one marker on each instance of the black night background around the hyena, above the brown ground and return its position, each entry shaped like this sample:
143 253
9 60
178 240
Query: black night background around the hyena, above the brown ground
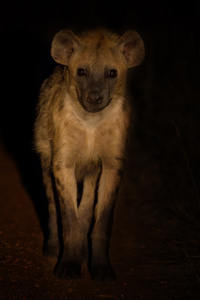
165 89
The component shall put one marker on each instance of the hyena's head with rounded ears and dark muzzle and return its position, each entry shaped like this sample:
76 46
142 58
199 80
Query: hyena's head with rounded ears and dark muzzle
97 63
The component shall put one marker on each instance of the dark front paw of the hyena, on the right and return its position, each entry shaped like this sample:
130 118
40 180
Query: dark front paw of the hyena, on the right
103 273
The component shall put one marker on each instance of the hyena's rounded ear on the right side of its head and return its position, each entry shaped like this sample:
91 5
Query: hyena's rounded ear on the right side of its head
132 46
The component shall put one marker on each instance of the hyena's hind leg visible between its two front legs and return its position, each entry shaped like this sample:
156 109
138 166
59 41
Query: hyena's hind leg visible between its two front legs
85 209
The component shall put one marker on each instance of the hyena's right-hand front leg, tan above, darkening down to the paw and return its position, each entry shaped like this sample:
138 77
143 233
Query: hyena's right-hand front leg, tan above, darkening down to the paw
101 268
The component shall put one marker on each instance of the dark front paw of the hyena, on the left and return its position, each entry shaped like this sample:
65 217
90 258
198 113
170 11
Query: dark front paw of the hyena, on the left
68 270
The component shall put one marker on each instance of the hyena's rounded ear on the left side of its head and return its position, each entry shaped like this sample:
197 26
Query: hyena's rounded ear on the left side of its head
64 43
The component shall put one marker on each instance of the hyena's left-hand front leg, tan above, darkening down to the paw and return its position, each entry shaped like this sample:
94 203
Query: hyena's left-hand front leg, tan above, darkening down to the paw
69 264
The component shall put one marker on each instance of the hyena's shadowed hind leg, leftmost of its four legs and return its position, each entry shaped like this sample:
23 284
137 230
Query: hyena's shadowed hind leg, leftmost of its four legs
52 246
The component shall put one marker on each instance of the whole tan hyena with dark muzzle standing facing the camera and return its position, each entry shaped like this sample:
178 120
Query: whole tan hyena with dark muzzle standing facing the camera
80 135
